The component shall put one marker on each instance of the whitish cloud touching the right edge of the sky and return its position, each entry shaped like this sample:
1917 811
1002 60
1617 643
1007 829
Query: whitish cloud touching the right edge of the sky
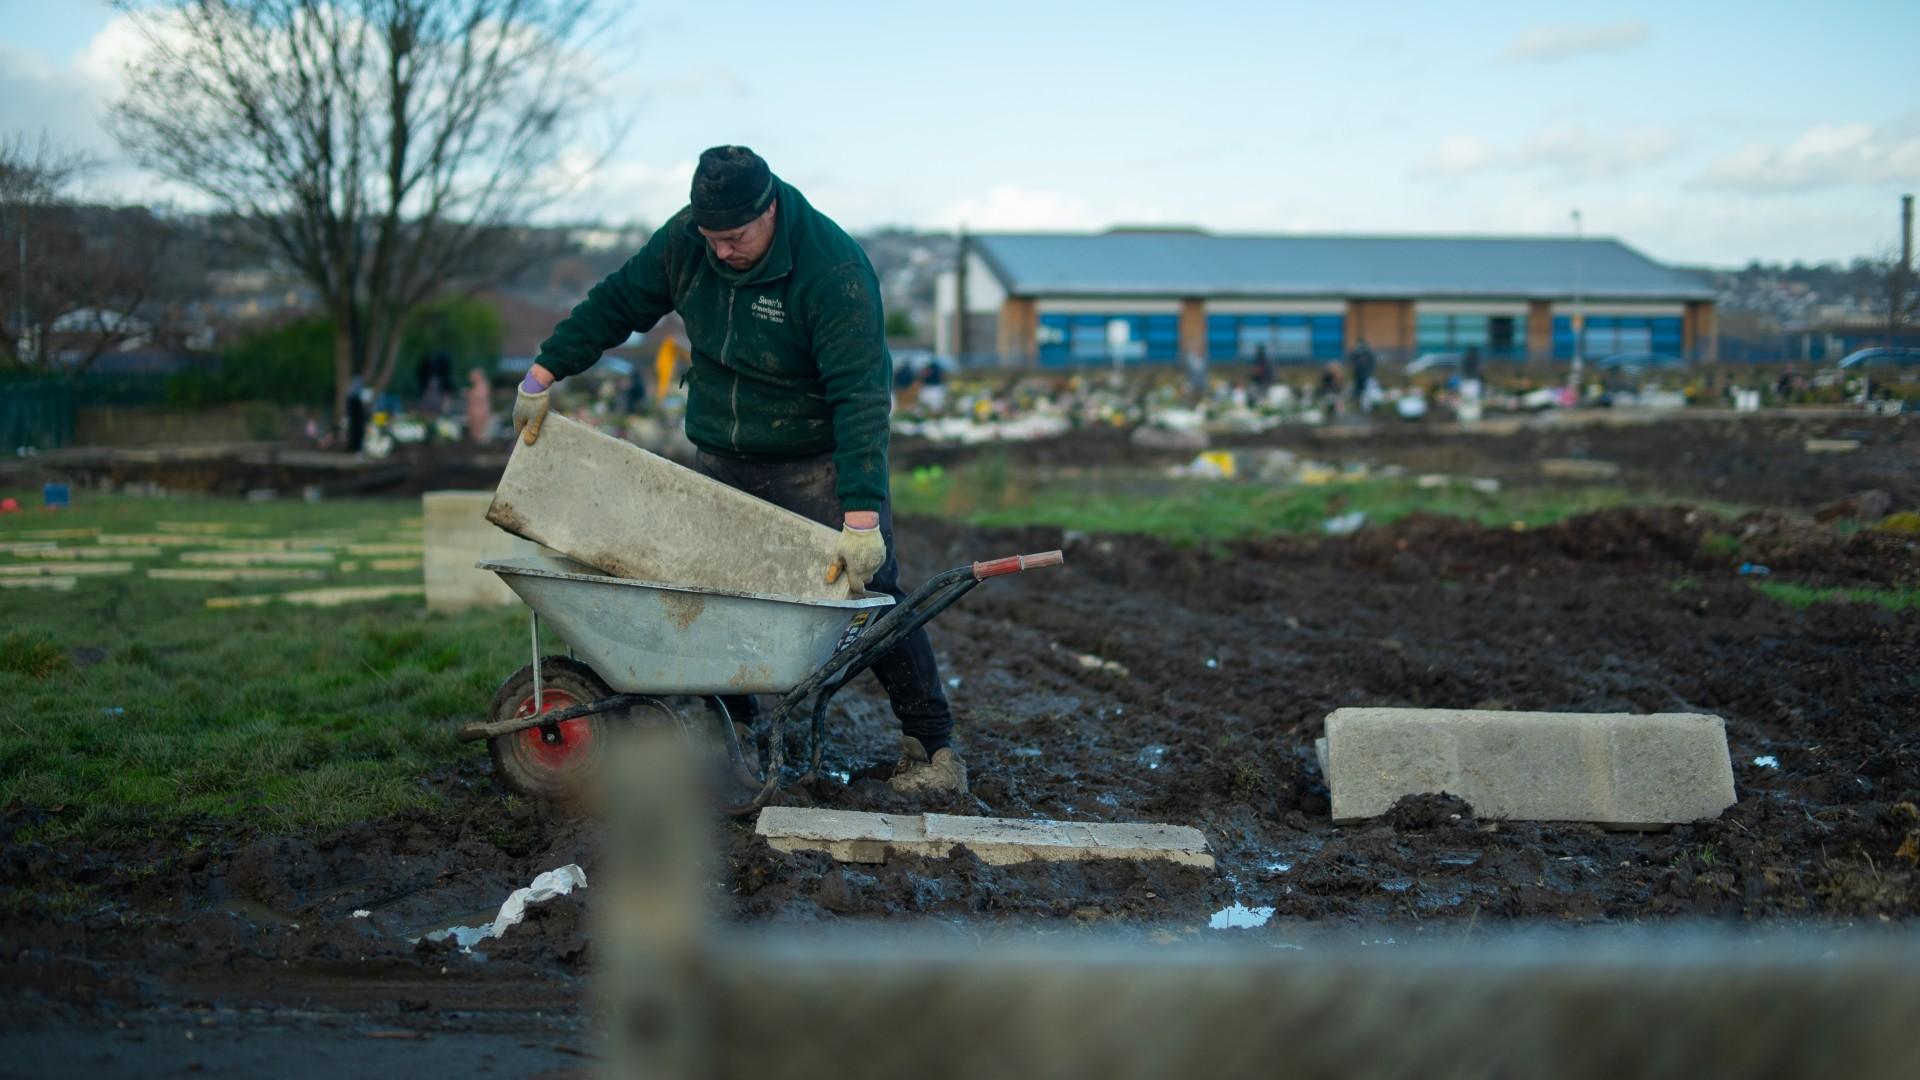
1825 157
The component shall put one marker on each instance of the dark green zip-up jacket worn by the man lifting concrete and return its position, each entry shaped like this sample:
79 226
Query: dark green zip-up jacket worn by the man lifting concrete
790 356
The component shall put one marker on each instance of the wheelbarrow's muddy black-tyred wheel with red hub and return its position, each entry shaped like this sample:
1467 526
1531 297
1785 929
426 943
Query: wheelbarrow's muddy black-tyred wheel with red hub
550 762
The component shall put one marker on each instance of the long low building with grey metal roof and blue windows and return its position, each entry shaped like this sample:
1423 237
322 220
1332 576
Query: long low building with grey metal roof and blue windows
1159 295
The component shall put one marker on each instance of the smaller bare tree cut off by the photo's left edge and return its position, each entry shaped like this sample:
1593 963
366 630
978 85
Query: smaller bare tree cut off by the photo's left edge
76 280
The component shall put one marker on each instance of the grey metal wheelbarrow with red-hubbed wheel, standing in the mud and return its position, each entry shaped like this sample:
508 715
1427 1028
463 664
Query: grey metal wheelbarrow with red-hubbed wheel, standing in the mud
650 652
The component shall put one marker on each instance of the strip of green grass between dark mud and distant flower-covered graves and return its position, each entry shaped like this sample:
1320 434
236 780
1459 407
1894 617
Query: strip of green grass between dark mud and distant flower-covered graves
1209 512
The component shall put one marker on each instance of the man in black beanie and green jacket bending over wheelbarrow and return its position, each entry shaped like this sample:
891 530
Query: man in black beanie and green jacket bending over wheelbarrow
786 391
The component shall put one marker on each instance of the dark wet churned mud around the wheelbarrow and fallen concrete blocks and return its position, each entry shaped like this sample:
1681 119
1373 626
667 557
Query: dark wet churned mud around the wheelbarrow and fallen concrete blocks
222 950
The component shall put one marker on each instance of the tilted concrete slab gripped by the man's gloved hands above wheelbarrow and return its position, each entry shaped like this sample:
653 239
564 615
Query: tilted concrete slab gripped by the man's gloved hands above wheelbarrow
633 514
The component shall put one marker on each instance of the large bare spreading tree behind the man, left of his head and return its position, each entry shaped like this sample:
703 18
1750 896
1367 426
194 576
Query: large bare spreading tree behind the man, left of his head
377 143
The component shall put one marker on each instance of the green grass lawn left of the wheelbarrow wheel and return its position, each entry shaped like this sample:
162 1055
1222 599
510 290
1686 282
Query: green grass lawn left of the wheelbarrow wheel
132 706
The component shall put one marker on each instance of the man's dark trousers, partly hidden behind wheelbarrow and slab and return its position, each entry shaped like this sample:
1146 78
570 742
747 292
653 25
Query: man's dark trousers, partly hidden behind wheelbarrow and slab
909 672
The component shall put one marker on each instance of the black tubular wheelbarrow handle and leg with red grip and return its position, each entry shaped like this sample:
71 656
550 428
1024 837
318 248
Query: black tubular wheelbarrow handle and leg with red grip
921 608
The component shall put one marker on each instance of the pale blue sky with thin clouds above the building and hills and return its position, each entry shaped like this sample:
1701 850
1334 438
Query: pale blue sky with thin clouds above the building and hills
1700 134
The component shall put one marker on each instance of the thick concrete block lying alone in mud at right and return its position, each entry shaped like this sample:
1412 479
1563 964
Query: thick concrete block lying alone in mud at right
1606 768
